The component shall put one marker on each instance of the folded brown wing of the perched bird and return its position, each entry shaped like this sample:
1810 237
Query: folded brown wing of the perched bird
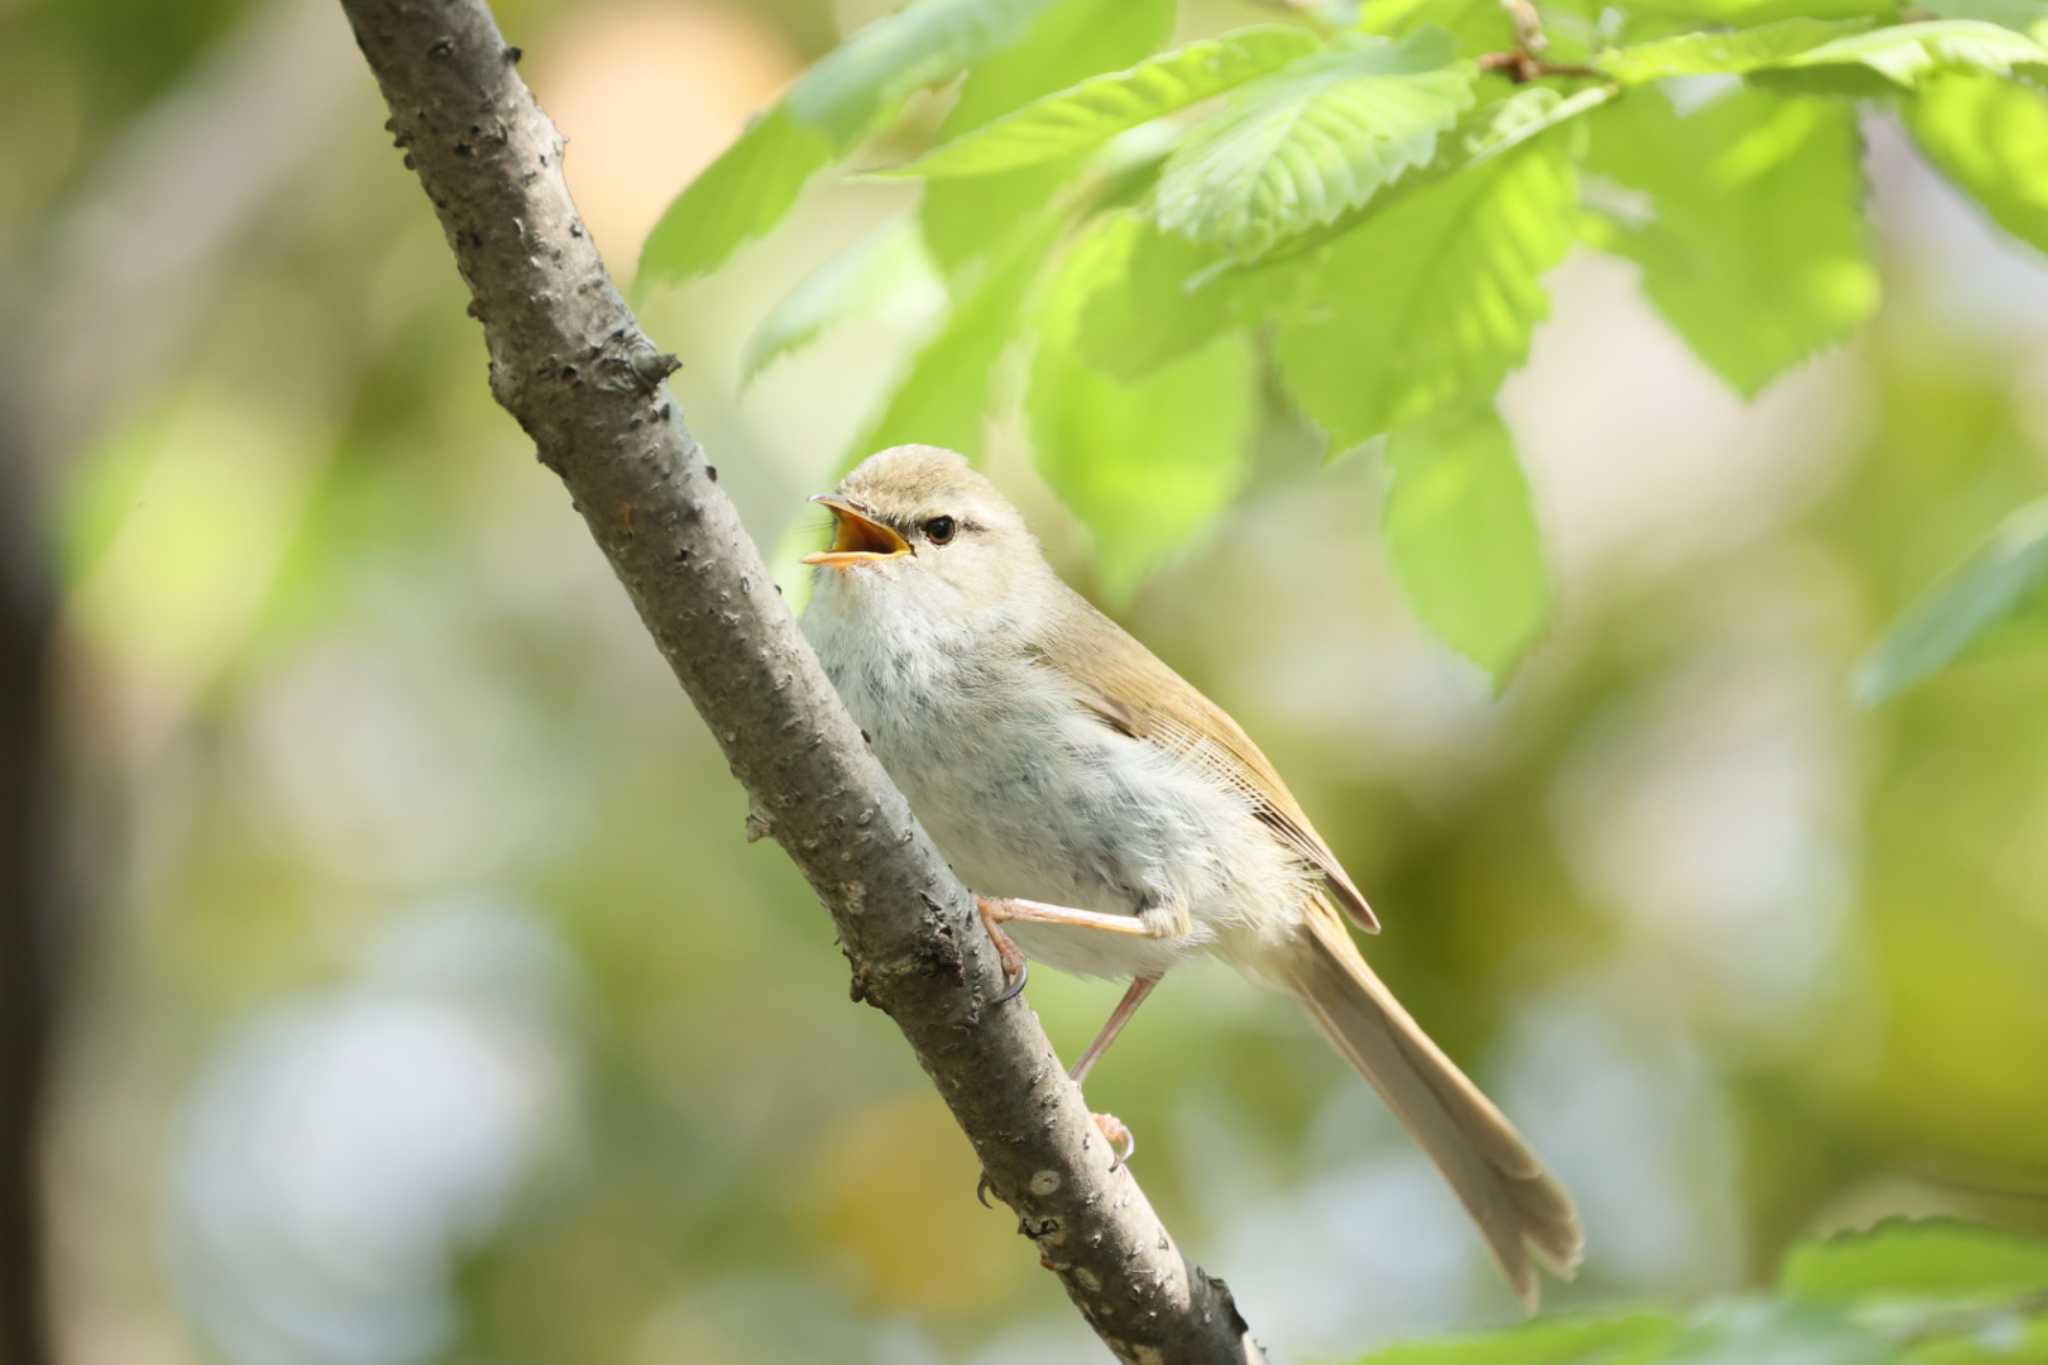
1134 693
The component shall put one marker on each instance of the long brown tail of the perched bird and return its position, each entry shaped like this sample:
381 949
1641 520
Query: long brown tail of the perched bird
1521 1208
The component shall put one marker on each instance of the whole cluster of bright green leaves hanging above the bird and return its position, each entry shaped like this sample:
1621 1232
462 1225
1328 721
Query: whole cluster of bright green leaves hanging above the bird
1412 202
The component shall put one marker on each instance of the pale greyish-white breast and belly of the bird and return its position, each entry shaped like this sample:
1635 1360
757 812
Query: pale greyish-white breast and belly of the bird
1029 795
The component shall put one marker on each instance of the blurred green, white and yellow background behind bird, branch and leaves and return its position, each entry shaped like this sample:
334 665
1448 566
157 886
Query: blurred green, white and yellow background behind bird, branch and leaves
413 994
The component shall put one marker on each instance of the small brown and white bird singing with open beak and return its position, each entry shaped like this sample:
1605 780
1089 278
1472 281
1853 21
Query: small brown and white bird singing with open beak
1113 822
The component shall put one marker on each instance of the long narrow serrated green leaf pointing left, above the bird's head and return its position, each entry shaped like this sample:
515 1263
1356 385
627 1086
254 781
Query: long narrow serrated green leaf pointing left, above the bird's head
1086 116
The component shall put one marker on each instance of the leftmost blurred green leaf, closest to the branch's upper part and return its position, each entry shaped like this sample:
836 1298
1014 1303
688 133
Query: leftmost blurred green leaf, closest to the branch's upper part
738 197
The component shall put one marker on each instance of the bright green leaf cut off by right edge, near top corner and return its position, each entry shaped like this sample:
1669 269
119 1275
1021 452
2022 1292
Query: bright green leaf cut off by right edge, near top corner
1992 140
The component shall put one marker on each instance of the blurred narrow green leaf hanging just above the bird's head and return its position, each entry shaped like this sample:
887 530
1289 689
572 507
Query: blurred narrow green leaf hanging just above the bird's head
949 386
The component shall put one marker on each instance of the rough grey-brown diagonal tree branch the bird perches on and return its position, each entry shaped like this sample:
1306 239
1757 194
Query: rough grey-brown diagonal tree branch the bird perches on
574 369
